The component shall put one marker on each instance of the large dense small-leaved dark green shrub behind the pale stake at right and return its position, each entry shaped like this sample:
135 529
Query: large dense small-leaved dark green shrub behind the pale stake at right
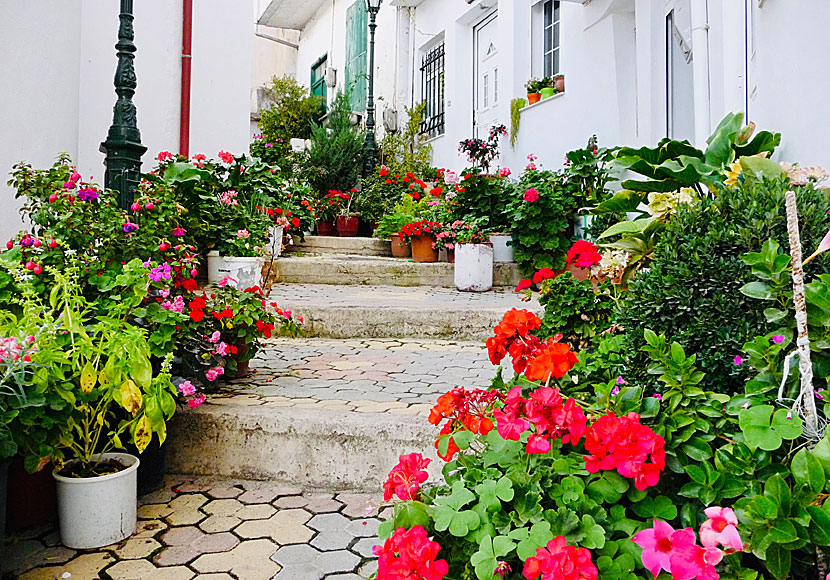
691 291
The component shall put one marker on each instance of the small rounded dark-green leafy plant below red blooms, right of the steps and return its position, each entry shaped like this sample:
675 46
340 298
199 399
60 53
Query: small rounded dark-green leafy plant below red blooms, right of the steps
574 309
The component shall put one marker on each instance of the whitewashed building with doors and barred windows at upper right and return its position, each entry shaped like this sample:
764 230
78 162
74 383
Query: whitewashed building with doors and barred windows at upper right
635 70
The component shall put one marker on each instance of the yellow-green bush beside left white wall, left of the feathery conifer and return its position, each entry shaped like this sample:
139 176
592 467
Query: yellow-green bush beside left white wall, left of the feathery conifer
291 116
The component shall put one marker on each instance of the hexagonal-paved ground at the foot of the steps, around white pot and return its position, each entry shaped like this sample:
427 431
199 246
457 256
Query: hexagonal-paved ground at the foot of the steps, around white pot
220 530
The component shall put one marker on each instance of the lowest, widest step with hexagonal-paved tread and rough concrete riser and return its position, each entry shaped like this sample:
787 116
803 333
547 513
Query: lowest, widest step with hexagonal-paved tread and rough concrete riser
327 413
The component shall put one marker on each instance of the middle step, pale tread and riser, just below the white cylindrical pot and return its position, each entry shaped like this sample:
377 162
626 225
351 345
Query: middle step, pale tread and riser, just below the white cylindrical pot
396 311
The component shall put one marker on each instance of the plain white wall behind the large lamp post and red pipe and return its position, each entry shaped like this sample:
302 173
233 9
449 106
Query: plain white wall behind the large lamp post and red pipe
61 58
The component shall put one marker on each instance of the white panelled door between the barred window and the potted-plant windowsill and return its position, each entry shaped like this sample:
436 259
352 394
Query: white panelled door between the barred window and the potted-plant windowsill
486 76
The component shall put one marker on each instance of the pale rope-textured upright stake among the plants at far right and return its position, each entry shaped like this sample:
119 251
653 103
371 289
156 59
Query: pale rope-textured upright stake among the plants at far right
805 403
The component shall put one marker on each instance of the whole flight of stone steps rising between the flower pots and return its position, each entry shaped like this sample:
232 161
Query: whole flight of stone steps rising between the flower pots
334 410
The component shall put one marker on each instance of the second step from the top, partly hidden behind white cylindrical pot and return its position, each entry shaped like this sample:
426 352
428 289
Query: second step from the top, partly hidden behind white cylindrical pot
345 269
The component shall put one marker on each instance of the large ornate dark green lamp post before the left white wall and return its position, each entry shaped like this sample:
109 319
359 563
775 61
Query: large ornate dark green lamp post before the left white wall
123 148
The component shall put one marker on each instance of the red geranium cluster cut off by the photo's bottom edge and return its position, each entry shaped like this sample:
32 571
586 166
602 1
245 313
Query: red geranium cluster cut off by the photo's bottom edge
410 555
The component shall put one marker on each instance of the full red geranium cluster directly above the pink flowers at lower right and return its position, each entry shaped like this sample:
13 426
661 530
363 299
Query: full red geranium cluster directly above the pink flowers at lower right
625 445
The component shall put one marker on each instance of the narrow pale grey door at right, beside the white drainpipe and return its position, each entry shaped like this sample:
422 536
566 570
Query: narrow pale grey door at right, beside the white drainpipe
680 102
